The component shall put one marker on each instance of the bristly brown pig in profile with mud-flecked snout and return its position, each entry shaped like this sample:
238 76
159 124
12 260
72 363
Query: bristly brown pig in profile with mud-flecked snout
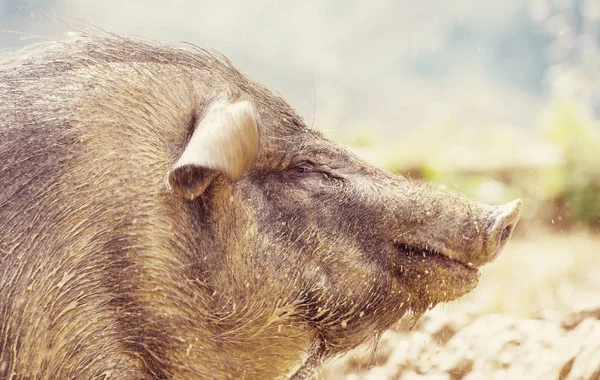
164 216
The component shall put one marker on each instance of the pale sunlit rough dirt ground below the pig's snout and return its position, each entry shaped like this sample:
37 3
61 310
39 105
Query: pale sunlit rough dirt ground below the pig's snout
534 315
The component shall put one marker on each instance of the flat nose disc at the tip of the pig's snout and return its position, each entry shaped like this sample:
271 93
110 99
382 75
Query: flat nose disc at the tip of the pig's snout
503 221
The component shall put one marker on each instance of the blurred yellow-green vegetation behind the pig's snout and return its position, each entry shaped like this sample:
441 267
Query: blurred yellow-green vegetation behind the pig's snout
554 168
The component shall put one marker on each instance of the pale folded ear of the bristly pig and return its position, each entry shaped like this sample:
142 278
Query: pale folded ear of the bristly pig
225 142
